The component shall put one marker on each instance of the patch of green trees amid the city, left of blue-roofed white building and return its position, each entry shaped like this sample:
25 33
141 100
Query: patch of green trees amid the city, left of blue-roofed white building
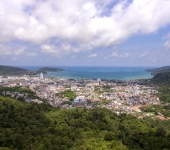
68 93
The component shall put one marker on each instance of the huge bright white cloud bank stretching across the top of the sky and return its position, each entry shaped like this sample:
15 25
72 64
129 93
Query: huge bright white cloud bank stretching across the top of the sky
82 22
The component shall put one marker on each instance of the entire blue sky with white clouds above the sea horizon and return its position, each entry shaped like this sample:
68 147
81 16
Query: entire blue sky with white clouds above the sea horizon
85 32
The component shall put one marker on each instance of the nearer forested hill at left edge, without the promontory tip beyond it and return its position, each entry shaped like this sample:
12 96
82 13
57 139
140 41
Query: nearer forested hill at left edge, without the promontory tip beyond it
9 70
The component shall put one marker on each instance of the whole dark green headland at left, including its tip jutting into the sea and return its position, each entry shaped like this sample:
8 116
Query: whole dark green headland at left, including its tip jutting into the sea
10 70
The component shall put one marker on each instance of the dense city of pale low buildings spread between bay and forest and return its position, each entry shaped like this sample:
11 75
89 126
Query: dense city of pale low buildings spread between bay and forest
119 96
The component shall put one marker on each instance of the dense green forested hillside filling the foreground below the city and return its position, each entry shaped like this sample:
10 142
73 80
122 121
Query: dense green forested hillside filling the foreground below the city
32 126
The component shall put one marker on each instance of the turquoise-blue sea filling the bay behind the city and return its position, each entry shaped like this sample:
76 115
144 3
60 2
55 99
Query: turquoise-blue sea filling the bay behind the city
95 72
